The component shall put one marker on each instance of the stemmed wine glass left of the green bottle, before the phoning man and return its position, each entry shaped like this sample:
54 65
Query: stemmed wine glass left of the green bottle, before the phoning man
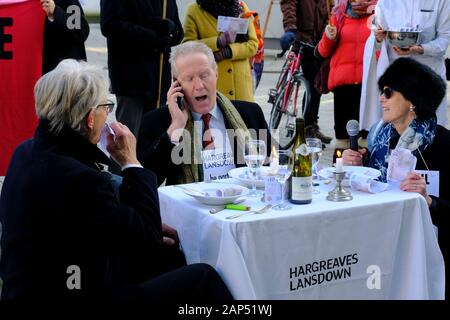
254 155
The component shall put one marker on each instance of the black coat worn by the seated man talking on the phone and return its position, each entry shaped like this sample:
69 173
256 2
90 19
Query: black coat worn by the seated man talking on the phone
154 146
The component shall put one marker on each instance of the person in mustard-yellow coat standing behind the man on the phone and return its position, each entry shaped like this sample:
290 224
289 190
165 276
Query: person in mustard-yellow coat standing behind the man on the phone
231 51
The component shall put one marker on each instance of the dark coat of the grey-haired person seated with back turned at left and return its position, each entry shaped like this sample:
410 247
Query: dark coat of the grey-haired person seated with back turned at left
58 209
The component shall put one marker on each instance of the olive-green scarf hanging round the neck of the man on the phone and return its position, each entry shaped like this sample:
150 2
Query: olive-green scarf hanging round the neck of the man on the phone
193 171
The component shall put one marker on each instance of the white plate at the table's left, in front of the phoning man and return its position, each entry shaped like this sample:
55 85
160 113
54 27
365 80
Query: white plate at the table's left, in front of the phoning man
211 188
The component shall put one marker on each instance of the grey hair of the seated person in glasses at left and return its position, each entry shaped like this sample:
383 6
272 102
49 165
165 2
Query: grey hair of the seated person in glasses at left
64 95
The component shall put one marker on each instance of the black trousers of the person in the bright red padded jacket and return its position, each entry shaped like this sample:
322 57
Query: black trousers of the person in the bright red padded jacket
346 107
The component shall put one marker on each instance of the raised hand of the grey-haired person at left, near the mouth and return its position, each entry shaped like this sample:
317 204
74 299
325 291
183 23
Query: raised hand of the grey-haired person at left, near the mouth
123 147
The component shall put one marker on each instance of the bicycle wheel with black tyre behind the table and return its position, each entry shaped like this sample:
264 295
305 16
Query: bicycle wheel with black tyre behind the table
295 97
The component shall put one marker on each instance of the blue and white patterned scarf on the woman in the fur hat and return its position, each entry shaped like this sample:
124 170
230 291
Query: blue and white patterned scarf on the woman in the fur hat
418 136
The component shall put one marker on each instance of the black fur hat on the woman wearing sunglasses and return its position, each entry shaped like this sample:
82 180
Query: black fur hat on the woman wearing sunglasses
417 82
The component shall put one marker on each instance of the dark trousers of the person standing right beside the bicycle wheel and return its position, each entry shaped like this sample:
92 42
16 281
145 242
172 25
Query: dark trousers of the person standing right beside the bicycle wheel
310 66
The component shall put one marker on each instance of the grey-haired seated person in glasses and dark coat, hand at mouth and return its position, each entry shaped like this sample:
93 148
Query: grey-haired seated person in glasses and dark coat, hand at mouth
66 233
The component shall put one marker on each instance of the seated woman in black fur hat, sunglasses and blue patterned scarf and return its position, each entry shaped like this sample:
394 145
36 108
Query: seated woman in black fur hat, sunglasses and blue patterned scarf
410 95
